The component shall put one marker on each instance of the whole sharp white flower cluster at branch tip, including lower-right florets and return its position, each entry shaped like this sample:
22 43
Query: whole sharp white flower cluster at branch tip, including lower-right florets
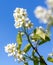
21 17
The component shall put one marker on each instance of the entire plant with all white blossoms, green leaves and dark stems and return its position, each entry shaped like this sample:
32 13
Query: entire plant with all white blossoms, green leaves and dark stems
38 36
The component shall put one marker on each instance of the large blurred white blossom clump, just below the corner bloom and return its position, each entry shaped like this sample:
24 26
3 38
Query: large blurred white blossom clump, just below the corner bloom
43 14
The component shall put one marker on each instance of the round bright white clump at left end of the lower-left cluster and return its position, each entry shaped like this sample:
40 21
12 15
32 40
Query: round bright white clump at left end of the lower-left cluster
10 49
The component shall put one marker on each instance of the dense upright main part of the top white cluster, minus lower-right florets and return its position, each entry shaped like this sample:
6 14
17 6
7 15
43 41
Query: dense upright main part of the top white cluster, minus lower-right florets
20 16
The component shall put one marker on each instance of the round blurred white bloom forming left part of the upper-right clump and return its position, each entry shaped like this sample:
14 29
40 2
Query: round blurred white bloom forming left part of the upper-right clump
40 12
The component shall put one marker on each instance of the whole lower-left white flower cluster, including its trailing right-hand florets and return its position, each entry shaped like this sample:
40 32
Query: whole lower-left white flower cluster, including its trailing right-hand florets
12 51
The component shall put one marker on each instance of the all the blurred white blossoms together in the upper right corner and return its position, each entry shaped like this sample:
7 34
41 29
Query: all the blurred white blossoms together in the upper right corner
45 15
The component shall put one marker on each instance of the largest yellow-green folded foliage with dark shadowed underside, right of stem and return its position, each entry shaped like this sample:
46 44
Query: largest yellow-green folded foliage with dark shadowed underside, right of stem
40 35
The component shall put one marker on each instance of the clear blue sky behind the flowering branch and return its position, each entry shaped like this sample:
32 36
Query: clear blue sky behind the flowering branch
8 32
